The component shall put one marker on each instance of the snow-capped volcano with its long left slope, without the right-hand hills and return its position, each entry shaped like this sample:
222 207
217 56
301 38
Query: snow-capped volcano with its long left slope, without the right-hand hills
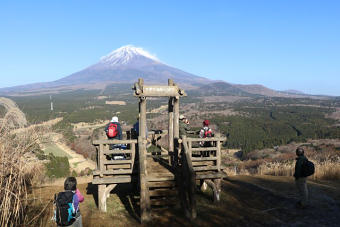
123 65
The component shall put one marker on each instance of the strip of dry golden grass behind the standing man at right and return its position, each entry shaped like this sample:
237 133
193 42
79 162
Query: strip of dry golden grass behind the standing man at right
325 155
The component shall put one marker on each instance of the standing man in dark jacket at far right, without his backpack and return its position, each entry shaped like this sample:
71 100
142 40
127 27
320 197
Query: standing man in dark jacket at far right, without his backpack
300 179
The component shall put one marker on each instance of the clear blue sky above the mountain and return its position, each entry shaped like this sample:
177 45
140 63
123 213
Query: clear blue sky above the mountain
280 44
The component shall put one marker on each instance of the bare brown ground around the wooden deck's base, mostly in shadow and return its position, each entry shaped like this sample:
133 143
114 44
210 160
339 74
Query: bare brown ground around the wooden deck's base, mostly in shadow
245 201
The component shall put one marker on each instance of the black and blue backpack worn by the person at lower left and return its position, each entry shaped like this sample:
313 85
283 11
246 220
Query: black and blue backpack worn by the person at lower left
64 210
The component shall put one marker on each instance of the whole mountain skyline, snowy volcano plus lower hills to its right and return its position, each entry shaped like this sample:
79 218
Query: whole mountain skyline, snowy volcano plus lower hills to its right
128 63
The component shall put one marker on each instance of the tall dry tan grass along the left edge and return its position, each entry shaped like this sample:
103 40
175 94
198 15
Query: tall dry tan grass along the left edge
16 174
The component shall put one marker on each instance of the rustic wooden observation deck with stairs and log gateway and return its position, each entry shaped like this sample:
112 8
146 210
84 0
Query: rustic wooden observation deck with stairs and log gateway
167 176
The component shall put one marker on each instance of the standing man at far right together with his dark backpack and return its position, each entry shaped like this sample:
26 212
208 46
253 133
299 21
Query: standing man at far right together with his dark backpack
303 169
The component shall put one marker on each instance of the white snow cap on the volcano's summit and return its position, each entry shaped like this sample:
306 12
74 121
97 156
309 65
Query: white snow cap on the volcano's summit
125 54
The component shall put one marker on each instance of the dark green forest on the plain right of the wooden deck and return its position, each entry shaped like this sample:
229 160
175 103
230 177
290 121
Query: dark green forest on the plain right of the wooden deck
265 127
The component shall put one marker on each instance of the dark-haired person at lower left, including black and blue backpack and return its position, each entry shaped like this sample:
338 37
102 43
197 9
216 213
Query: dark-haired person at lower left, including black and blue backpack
67 211
